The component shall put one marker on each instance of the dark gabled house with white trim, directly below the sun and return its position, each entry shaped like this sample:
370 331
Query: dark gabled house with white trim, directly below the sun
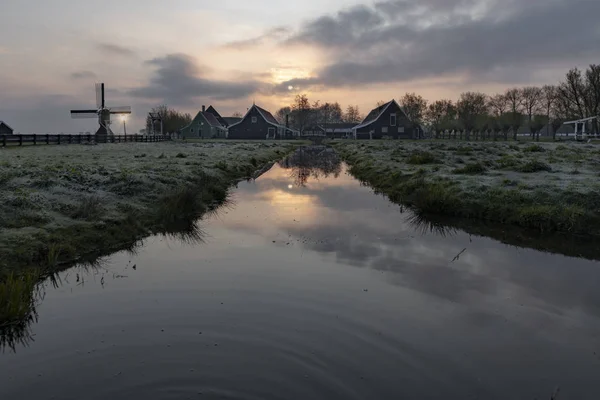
258 123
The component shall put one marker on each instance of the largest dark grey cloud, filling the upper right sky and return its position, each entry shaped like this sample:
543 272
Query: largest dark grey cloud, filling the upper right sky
482 41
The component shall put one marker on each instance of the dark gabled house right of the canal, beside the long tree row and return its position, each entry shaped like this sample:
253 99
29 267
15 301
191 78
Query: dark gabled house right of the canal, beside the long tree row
387 120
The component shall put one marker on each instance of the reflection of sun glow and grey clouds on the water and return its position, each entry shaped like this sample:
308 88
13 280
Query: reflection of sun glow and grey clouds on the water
359 229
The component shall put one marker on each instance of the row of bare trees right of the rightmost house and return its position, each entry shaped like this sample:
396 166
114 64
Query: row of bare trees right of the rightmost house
538 109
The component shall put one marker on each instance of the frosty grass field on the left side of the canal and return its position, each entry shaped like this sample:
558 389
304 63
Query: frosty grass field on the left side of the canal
59 204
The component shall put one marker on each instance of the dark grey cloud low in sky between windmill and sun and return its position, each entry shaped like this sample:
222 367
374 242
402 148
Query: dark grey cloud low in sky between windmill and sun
178 81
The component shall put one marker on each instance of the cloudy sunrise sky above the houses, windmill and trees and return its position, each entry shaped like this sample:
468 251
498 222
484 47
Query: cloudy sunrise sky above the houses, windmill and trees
187 53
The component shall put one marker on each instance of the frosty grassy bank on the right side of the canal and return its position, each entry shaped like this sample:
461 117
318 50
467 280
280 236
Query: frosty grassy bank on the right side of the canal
548 187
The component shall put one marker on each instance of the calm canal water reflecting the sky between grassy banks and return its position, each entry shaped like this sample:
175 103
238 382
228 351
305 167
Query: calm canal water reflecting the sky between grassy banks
311 287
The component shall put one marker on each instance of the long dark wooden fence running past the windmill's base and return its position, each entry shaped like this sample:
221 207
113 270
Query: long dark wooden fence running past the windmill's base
21 140
